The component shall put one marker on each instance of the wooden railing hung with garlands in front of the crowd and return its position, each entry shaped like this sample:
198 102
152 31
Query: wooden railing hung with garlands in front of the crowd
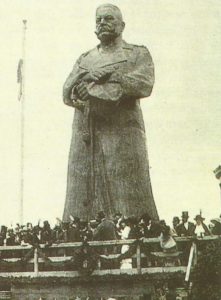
99 258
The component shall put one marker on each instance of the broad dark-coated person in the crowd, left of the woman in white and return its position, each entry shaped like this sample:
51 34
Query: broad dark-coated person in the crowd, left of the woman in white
105 230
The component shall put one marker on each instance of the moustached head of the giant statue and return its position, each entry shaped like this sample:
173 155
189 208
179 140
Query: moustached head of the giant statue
109 22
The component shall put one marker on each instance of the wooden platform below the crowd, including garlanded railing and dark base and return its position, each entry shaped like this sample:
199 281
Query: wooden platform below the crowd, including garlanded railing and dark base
95 268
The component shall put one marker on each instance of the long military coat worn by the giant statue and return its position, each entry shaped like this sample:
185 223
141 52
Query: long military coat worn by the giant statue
108 163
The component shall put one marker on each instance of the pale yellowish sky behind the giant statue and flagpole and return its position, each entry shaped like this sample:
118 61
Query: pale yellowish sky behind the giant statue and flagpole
182 116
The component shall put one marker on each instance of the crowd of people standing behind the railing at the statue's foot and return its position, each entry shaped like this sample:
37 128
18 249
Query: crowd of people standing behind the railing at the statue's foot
102 228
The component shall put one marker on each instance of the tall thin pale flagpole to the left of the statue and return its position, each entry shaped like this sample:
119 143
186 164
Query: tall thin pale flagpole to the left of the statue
22 124
